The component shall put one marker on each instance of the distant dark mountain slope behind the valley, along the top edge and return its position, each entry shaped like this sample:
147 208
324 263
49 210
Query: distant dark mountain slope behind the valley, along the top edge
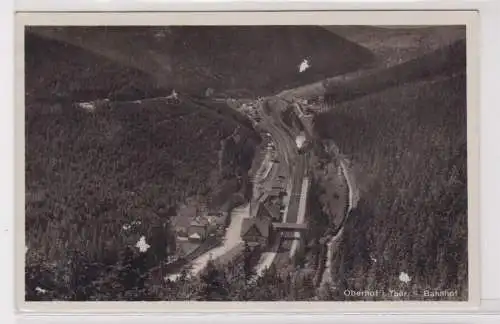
239 61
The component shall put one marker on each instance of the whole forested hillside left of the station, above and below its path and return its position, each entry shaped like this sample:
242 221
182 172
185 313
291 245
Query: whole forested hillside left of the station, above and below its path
97 180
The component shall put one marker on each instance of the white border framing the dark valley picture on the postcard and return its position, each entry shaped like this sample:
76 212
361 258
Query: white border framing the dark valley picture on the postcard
464 17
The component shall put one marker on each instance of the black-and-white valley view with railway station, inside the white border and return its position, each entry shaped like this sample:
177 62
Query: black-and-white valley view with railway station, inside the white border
246 163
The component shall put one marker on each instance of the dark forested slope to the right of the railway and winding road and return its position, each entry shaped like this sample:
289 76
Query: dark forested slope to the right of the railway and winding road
407 143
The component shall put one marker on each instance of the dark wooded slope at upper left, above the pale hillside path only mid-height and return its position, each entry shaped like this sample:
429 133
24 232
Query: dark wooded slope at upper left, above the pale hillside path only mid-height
57 71
